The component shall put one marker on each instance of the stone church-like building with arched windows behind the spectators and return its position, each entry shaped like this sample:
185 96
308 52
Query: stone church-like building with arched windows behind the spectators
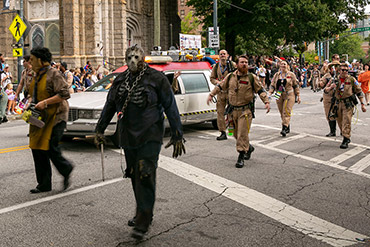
96 30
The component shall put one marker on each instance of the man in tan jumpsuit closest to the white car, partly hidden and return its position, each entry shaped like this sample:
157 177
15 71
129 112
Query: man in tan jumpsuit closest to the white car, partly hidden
219 72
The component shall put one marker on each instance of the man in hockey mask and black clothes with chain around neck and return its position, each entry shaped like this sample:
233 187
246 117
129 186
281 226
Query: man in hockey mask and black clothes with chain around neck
140 95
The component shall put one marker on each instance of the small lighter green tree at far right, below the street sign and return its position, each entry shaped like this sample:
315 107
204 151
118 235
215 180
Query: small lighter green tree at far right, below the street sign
350 45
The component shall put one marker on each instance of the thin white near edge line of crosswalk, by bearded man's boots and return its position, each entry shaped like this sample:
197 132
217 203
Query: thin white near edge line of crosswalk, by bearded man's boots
300 156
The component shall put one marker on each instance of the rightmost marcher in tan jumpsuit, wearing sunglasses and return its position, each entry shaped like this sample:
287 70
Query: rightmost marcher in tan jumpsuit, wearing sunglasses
345 90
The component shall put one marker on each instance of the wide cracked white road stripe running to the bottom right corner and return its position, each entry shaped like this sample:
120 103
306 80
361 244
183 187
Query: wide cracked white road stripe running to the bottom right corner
292 217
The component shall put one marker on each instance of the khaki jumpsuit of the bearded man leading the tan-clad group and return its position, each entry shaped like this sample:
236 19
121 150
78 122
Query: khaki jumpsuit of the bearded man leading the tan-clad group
240 94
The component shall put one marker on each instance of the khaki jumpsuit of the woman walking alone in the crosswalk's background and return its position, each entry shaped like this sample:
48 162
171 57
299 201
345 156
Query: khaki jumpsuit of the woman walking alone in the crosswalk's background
287 99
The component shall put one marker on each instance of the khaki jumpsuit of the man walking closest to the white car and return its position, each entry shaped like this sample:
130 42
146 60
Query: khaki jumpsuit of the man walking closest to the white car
219 72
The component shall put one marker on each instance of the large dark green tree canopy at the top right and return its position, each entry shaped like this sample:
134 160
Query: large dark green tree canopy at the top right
273 21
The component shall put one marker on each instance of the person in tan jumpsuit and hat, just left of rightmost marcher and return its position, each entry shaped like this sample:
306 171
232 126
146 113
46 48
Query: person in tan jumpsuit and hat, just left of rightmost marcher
328 94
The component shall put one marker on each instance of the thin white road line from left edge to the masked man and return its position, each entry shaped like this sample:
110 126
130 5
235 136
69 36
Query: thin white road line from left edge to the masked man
54 197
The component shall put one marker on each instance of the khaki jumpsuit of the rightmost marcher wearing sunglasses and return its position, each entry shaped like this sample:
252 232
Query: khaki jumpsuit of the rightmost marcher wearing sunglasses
343 105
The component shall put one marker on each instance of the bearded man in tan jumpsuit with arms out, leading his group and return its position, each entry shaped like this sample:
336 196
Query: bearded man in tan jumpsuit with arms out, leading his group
241 94
